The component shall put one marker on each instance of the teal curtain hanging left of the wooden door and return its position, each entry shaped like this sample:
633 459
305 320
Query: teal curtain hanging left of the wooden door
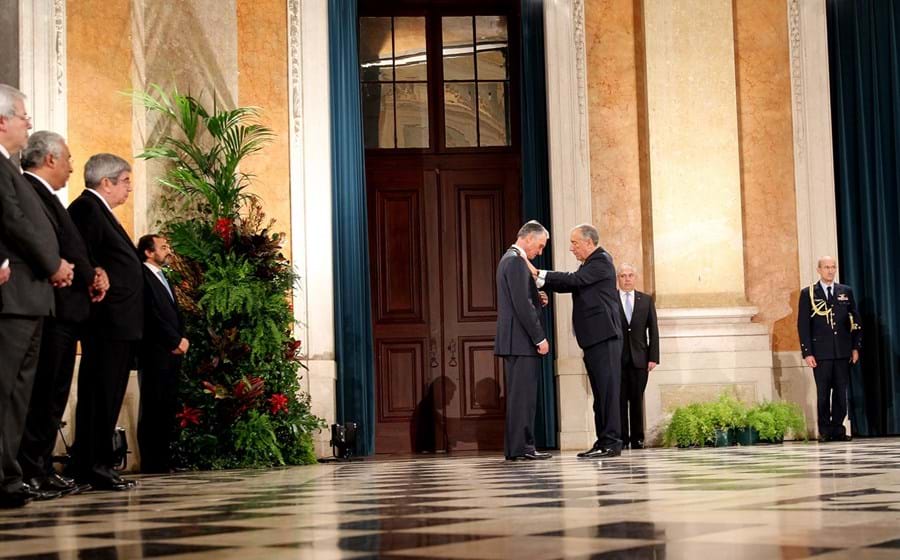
352 310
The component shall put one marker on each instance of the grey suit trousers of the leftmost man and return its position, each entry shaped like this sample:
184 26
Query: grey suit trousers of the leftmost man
20 344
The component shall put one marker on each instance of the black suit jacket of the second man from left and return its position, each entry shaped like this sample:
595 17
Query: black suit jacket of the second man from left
73 303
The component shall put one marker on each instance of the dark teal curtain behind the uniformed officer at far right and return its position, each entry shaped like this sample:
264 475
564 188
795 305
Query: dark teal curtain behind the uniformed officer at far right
864 64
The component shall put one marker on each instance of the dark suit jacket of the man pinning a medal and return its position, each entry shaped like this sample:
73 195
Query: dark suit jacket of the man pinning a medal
595 311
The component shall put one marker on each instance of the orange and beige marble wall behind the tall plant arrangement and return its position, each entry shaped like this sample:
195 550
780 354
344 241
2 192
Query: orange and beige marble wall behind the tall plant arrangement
117 46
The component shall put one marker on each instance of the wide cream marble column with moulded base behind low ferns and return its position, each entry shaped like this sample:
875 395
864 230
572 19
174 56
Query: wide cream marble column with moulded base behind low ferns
708 342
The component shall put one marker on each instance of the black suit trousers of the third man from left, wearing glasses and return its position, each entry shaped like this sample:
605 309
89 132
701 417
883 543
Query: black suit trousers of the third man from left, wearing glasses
102 382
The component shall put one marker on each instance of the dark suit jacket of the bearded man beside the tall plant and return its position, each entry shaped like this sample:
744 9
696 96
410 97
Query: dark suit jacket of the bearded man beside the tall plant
163 325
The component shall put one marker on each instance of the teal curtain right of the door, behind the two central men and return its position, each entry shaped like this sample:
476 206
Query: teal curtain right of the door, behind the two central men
536 189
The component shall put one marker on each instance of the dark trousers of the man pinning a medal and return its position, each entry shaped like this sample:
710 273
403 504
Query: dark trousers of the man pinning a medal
604 366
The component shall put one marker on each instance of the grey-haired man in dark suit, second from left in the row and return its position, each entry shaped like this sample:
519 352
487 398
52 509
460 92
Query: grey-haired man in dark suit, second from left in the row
47 164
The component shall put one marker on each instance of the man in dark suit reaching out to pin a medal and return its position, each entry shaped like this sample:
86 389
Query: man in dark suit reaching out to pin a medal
595 316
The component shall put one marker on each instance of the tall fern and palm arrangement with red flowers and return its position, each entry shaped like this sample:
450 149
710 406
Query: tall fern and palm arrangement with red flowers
240 403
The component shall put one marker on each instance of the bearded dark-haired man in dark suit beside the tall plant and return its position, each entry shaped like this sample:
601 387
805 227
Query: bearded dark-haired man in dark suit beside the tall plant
162 349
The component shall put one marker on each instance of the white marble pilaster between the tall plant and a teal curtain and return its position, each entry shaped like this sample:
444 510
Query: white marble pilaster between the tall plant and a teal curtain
311 247
